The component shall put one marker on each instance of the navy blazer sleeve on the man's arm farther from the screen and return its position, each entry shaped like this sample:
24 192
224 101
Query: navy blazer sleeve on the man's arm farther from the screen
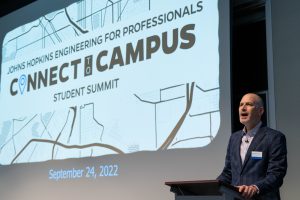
277 164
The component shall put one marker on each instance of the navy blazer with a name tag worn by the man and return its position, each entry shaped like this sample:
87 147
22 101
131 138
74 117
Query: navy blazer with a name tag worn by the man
266 173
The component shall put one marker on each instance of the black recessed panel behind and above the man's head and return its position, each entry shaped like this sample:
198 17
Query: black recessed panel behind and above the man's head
249 64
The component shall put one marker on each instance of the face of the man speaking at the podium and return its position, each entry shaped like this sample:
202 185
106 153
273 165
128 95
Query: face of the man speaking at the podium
250 112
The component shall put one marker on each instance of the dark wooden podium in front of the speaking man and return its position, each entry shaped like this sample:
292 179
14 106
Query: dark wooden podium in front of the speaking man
204 190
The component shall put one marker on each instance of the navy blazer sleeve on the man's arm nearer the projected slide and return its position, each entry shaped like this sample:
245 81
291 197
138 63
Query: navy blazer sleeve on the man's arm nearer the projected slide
226 175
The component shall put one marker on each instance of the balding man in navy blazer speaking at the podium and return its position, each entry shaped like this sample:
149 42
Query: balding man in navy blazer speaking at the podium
256 160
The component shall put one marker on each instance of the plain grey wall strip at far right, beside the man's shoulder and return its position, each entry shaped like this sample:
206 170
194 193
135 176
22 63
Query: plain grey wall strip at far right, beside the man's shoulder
285 19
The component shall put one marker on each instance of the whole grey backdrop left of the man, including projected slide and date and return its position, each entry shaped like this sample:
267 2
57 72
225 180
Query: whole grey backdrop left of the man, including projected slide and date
110 99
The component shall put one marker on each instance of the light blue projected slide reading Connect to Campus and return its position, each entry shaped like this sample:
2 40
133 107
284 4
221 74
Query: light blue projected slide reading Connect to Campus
110 77
